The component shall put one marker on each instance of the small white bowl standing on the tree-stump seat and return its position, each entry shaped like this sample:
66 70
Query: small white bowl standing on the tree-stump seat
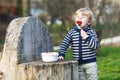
49 56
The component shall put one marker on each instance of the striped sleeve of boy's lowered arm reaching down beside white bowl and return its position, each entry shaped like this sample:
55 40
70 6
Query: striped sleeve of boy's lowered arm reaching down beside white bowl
65 44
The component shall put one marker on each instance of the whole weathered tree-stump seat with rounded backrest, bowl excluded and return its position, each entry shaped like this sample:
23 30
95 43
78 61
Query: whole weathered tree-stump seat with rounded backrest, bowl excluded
26 38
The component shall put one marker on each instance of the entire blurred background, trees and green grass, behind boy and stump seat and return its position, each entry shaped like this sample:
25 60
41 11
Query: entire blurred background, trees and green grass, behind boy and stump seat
57 15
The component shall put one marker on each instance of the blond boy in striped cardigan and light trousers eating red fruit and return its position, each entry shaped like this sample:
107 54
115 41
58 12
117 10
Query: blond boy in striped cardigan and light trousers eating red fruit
84 44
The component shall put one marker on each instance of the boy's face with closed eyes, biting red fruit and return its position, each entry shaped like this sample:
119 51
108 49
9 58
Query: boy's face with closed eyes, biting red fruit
83 18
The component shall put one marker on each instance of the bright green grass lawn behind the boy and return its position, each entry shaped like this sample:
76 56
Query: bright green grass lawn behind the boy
108 60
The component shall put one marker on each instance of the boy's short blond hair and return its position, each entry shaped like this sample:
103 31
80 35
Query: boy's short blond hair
87 12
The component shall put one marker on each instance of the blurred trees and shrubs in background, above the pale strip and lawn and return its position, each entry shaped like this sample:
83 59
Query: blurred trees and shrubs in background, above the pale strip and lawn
57 15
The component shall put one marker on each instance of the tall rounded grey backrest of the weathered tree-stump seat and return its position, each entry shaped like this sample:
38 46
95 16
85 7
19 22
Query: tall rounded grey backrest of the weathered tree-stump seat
27 37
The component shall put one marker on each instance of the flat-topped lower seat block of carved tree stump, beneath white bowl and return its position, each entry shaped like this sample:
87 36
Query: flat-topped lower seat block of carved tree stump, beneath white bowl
38 70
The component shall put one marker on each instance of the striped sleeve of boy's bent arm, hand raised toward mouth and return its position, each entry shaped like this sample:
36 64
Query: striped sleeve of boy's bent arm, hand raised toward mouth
92 40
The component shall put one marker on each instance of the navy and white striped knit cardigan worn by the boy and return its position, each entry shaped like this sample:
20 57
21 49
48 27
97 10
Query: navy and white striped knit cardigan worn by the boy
83 50
